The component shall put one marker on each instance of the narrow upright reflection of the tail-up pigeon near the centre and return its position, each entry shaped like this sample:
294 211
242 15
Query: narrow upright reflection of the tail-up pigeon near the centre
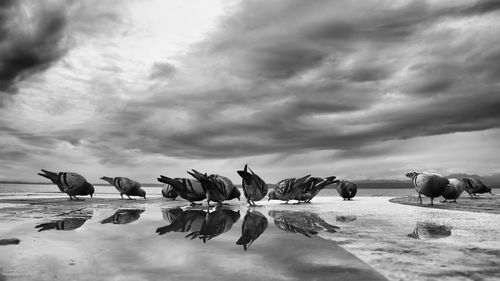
254 224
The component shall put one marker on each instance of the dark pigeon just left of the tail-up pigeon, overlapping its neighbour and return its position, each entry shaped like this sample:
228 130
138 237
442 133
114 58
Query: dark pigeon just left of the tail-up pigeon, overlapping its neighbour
217 188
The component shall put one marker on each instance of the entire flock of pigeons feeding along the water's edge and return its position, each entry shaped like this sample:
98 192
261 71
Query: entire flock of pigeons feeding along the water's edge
217 188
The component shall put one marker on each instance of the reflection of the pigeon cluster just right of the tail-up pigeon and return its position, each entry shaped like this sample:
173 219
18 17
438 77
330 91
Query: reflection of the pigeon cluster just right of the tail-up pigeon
305 223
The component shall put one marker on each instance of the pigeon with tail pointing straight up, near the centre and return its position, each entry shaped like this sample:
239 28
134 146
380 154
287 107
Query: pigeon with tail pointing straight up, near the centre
254 188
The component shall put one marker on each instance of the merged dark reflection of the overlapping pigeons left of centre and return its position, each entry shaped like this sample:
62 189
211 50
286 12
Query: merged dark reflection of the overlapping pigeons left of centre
202 224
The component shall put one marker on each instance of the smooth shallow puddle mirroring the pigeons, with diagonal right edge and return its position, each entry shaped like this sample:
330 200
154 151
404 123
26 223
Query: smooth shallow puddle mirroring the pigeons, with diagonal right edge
179 243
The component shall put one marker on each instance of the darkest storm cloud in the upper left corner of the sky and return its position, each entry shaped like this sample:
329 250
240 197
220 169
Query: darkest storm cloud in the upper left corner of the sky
28 44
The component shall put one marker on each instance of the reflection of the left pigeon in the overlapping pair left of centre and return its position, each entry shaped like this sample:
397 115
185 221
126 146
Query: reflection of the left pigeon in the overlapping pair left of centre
182 220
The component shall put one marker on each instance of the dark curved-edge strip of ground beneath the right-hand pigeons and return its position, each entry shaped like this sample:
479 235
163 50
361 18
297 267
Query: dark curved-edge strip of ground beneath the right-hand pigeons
483 204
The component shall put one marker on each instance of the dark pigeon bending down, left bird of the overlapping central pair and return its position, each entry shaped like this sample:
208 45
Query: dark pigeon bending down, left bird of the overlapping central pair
188 189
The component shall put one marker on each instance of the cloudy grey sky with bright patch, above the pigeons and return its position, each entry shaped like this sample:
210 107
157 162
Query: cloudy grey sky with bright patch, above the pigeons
357 89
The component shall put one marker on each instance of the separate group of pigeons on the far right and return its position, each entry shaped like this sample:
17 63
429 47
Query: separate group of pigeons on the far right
434 185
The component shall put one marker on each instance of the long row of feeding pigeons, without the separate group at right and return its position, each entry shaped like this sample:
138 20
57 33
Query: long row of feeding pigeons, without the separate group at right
213 187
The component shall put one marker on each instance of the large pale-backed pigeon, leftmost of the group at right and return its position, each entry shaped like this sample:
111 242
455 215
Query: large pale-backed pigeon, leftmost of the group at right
429 184
